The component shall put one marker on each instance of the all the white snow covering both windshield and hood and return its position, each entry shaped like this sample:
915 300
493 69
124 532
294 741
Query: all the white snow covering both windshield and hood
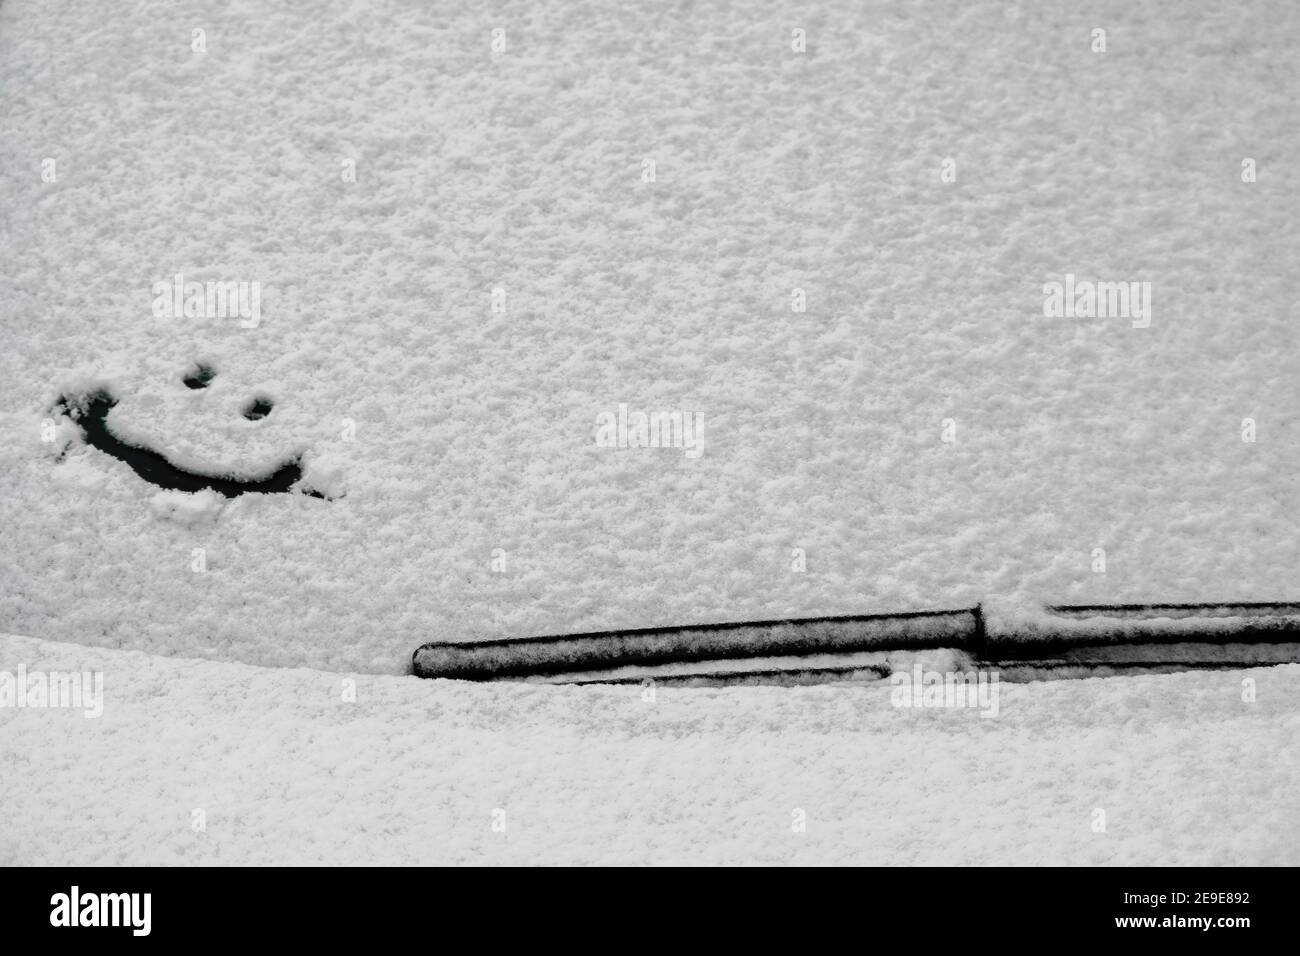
444 332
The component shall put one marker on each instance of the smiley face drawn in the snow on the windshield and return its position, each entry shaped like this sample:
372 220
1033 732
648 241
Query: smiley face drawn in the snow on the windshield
90 413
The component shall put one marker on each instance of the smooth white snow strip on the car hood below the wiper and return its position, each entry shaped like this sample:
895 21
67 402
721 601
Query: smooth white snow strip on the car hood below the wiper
285 771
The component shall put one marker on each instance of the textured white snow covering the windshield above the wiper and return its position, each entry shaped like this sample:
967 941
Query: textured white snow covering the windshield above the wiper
445 430
